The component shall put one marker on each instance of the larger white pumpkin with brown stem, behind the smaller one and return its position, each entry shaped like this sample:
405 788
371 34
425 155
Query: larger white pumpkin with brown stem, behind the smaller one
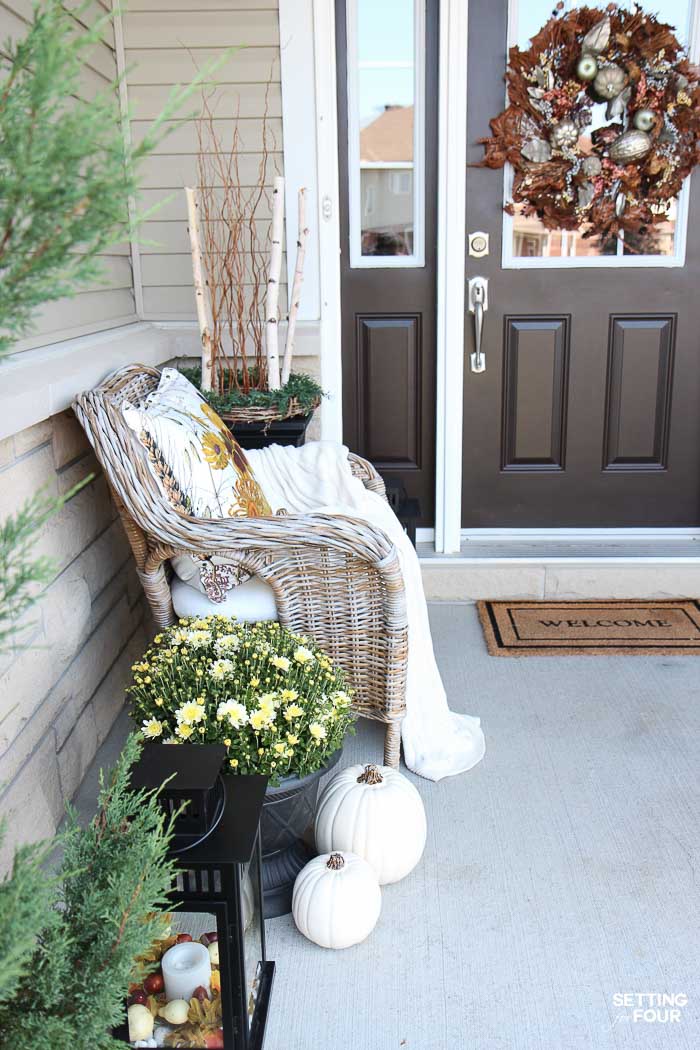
376 813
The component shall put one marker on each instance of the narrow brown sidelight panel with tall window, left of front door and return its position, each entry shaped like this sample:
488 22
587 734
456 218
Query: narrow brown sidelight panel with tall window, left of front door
388 108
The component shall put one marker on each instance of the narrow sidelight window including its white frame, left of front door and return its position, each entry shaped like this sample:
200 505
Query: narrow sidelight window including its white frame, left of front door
386 132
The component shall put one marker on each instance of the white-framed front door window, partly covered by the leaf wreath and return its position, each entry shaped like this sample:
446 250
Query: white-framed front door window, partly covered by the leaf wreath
529 238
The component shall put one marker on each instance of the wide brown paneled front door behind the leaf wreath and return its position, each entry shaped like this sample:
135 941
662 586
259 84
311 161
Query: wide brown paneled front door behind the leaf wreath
588 413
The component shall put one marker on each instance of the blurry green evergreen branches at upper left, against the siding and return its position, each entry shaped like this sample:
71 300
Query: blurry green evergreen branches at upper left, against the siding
67 170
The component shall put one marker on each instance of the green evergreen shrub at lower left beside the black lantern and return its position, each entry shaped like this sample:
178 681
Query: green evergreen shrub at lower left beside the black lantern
70 946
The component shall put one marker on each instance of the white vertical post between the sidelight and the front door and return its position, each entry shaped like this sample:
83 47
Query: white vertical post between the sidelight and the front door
452 218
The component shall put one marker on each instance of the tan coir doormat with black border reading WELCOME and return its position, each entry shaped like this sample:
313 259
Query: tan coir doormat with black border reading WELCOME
596 628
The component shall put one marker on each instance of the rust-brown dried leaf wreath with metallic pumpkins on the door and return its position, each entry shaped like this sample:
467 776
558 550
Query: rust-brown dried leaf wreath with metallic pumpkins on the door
626 174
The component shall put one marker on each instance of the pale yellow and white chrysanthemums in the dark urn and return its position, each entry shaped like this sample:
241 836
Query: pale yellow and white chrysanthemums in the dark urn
273 698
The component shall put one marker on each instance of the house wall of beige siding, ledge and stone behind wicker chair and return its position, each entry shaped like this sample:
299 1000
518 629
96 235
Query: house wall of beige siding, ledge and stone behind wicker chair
59 698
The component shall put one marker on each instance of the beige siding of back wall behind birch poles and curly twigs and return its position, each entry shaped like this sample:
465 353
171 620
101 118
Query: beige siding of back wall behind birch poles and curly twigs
166 43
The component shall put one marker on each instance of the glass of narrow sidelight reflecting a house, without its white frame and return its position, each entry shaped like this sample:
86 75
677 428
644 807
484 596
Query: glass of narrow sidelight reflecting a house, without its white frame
386 102
